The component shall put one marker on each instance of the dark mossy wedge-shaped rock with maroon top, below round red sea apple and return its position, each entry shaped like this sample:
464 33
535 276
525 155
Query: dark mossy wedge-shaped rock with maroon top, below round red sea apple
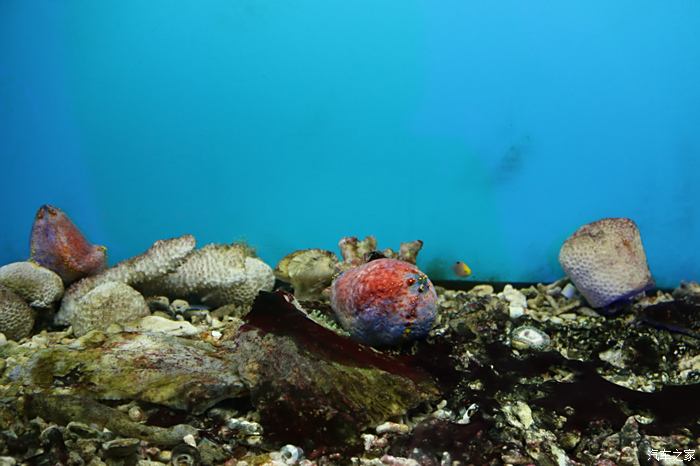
315 388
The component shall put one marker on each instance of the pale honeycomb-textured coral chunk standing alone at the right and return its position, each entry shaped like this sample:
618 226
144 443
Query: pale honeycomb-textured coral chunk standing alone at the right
606 261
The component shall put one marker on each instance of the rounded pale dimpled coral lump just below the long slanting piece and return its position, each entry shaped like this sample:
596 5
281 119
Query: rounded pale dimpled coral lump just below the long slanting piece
106 304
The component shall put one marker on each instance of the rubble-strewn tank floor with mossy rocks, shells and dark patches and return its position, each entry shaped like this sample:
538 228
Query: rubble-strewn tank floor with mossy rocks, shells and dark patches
283 390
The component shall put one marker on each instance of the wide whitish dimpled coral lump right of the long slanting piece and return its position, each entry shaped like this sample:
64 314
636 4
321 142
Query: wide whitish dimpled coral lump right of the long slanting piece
216 275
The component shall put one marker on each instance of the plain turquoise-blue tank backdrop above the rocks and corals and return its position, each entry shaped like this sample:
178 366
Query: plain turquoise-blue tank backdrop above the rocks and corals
490 129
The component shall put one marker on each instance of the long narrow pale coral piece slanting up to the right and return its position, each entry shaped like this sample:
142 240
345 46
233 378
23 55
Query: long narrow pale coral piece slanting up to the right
161 258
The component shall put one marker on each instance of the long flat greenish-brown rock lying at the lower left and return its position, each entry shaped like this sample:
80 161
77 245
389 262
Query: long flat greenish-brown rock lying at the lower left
155 368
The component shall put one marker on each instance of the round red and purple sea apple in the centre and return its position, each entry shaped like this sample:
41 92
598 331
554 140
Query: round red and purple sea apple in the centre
384 302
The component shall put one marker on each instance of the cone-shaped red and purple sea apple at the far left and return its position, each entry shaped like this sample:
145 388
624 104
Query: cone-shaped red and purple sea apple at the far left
58 245
